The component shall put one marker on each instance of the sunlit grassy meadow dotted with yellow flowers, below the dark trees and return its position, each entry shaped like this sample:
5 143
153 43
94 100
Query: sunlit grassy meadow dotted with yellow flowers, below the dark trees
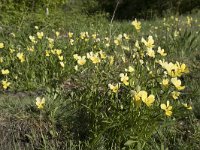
77 81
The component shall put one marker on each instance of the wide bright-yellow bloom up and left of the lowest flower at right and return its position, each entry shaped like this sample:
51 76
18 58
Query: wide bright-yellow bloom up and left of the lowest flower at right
148 100
